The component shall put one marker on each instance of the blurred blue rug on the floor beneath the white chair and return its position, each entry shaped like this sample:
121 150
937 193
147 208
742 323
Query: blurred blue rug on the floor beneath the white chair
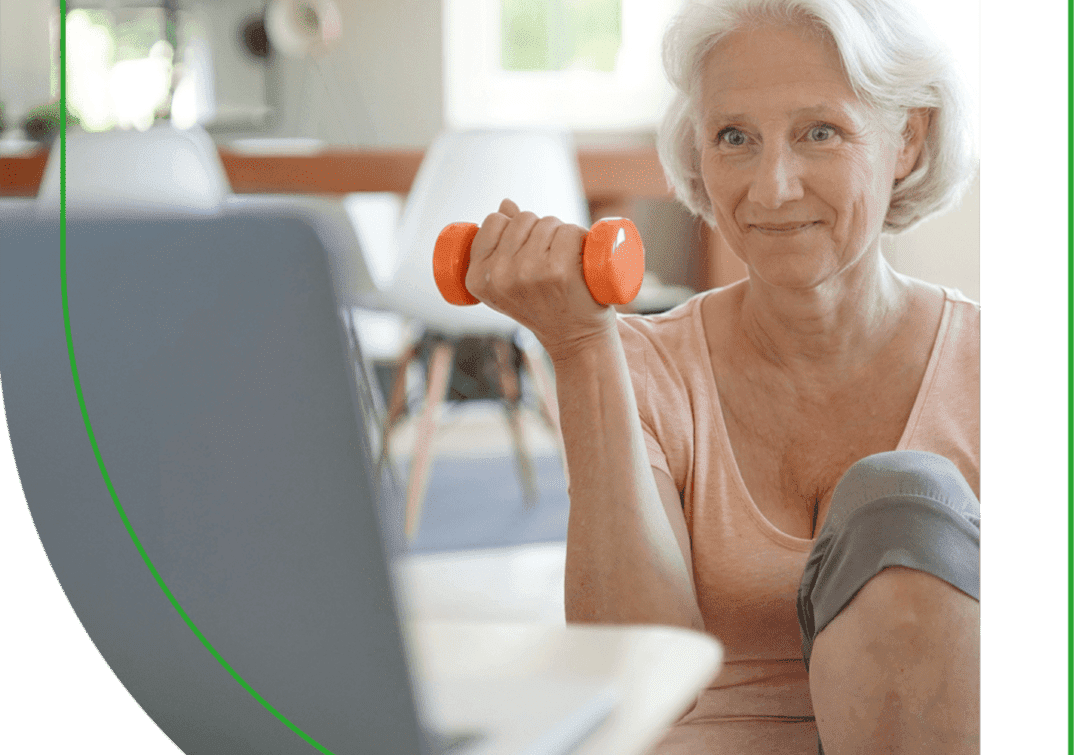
480 503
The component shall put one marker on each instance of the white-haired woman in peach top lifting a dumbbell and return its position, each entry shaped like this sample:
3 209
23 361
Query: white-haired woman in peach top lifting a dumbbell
789 463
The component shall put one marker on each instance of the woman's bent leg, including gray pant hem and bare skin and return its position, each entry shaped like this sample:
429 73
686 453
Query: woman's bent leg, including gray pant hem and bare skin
890 609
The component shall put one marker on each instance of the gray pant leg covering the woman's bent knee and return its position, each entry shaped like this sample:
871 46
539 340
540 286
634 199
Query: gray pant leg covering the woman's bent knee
900 509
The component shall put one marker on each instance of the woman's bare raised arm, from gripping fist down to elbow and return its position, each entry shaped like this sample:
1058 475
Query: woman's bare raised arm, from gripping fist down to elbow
625 564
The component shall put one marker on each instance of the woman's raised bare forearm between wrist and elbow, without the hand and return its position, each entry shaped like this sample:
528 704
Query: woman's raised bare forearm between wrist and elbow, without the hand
627 548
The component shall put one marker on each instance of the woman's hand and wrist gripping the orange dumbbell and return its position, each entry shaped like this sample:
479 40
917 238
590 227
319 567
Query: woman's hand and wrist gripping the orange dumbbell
530 269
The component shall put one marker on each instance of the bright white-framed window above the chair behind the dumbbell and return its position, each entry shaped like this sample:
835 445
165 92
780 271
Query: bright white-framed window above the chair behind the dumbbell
588 65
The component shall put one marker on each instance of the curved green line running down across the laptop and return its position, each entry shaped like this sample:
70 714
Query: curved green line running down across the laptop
90 431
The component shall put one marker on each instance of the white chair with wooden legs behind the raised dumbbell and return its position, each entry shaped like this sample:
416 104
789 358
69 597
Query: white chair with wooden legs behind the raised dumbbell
465 177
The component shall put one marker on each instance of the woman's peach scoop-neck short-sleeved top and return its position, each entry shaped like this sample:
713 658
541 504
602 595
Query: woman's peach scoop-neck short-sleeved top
747 571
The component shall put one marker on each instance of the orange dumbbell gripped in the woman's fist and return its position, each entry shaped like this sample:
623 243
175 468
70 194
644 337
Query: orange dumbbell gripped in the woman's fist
612 254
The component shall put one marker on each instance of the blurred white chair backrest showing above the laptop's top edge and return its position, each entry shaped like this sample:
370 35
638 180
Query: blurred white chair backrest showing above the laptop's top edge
163 170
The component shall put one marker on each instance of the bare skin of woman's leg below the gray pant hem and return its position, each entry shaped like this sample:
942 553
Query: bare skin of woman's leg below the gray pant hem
897 671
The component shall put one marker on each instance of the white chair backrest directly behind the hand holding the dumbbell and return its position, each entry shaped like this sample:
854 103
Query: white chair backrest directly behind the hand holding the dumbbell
465 177
